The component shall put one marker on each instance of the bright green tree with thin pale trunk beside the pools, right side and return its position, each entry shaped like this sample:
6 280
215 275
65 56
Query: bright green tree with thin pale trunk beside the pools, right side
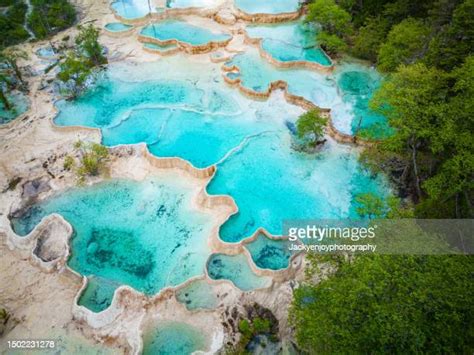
413 102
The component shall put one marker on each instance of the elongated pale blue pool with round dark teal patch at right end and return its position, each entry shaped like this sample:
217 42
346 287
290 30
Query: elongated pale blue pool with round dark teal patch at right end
346 92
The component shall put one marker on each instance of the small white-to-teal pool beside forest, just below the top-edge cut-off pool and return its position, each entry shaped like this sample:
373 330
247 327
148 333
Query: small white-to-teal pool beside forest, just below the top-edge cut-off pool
289 42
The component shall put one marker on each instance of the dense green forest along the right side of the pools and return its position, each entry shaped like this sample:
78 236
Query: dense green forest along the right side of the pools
403 303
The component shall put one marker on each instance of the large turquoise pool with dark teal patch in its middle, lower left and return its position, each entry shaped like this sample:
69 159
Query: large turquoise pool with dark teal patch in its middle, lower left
142 234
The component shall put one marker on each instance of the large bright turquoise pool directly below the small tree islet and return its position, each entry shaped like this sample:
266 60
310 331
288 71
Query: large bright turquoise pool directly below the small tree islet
270 182
